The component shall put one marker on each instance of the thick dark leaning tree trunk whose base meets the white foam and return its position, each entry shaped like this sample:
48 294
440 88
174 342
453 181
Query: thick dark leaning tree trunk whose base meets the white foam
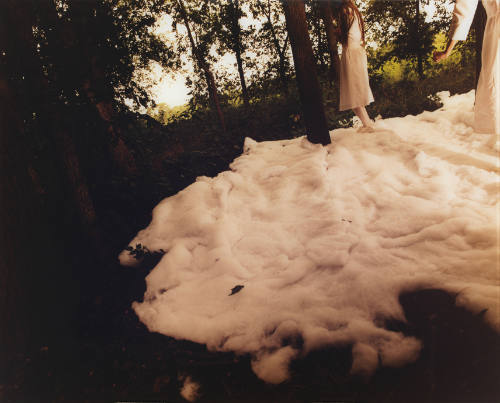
305 67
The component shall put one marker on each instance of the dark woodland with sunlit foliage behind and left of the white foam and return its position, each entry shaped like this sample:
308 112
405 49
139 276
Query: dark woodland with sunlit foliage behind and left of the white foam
81 170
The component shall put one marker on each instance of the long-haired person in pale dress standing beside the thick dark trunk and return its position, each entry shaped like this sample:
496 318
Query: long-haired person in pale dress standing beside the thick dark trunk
355 91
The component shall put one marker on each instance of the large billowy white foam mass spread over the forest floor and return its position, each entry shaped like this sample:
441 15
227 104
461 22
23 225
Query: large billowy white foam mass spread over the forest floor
325 239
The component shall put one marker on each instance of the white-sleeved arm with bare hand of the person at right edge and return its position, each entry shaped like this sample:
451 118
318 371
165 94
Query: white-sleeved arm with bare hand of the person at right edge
463 14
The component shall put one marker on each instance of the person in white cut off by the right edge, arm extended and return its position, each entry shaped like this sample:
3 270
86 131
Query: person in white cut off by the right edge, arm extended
487 105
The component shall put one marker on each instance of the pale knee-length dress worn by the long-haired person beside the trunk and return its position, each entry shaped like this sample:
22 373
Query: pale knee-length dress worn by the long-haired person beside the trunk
355 88
